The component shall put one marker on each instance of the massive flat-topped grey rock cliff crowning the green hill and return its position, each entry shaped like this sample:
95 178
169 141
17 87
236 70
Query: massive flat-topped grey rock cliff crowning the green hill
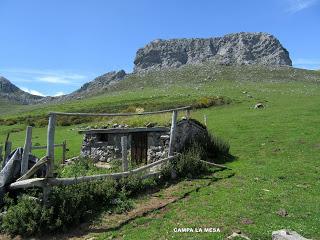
232 49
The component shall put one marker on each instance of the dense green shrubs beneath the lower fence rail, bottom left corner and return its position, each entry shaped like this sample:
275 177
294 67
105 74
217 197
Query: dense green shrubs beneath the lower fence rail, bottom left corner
67 206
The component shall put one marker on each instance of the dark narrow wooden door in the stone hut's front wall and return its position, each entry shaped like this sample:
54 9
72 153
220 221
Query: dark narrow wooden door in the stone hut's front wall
139 148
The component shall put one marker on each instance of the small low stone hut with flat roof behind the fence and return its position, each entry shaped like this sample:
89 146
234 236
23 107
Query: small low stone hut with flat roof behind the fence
145 144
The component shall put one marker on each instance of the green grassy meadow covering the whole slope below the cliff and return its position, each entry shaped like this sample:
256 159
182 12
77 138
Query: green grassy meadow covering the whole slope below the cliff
277 148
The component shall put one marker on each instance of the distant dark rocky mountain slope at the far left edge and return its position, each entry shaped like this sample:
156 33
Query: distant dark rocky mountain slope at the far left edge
13 94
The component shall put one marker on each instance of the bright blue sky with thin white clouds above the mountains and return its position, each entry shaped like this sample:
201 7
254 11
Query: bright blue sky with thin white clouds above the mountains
52 47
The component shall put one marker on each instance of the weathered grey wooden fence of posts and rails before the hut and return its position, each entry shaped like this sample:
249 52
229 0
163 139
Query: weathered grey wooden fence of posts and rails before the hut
48 181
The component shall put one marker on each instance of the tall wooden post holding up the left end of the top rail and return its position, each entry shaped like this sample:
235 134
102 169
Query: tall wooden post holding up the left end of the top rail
50 144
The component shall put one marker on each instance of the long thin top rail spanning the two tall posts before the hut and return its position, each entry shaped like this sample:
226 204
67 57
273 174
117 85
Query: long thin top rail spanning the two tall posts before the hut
118 114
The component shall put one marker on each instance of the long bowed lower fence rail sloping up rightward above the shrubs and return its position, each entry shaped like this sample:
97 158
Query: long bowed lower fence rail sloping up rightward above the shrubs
44 182
